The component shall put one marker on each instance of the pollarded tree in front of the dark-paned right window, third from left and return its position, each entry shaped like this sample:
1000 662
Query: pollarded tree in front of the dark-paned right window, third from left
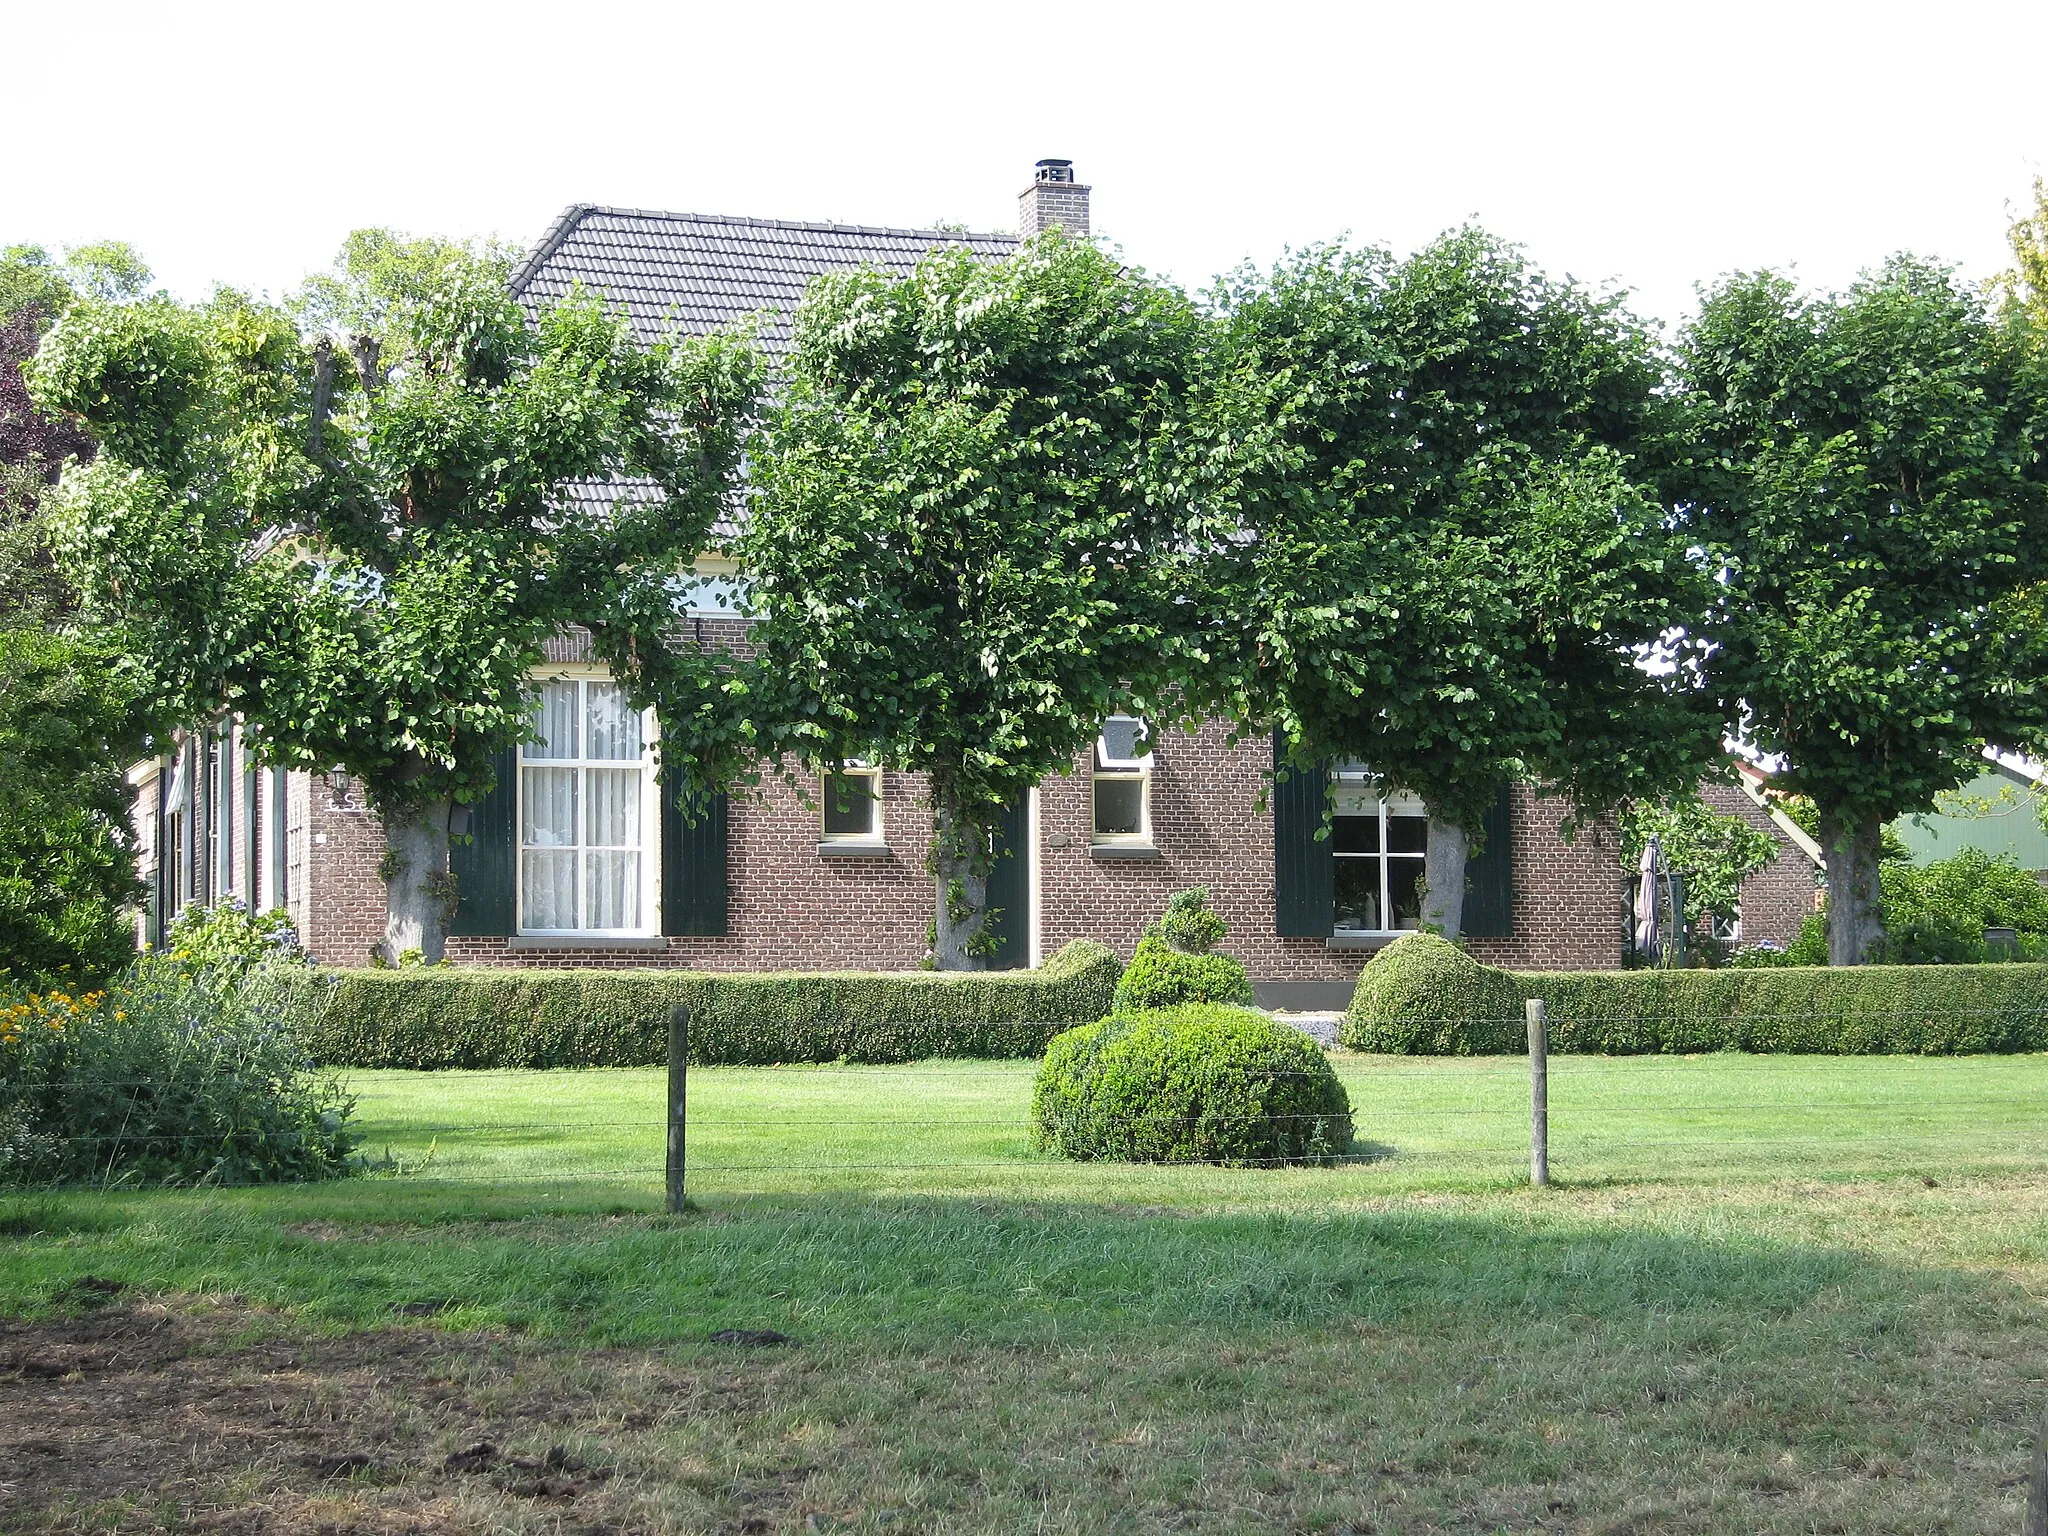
1443 550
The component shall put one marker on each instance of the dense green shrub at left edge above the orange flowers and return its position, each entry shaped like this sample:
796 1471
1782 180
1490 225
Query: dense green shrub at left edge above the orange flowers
69 728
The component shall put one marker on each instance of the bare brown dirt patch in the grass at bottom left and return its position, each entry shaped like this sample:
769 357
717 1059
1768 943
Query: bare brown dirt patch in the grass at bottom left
220 1420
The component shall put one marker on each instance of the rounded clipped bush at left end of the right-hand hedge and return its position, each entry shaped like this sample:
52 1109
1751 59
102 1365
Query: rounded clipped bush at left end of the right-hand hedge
1426 996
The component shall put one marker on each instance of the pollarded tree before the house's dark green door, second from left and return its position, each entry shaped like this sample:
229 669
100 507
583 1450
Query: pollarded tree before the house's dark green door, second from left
955 531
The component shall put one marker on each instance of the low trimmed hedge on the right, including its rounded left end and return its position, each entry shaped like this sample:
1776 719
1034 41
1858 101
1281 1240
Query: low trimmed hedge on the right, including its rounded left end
1416 998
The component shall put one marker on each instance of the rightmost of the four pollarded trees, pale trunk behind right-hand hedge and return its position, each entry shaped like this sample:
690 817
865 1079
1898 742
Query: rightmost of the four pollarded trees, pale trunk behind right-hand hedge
1869 480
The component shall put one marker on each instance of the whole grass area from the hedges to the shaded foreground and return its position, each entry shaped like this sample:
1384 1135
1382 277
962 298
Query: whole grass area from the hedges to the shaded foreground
1768 1295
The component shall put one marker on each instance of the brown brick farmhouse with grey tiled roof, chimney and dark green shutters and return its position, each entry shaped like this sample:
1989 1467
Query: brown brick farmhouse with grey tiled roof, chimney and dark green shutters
577 859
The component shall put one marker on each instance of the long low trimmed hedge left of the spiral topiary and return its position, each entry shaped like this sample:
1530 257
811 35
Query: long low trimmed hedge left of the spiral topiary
507 1017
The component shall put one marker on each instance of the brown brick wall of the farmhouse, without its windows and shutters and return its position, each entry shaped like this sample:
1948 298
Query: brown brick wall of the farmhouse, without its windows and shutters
798 908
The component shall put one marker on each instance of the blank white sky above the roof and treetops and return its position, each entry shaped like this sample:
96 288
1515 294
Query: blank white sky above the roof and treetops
1650 142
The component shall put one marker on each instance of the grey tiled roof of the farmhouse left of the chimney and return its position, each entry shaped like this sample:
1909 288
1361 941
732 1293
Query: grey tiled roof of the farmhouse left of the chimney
699 271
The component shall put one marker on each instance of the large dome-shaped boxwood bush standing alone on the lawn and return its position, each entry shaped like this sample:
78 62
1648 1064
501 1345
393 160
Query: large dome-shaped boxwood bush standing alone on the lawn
1201 1084
